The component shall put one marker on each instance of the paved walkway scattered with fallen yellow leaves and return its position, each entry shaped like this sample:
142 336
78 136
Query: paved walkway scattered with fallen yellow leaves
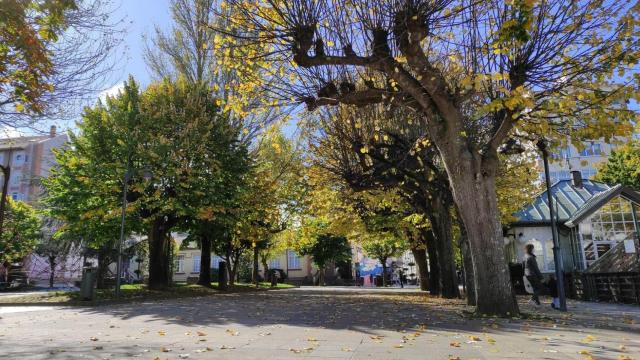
314 323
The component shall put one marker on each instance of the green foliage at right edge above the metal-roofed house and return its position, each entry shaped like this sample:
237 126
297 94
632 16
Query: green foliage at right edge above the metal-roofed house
623 166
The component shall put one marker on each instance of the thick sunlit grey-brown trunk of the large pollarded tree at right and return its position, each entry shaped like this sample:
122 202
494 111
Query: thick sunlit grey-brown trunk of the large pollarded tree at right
473 183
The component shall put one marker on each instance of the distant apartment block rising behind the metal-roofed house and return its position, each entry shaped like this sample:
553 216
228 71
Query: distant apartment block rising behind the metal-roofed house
570 158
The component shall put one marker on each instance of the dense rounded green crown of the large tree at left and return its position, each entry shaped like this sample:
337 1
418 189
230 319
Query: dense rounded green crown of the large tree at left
181 155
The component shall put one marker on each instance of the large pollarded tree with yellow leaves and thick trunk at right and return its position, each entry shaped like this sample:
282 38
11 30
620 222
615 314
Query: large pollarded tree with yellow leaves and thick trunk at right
476 72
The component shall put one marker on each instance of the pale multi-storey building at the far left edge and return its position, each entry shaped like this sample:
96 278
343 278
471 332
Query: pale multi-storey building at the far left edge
30 159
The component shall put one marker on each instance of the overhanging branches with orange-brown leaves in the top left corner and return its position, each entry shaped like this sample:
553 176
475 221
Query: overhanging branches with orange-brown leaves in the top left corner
55 55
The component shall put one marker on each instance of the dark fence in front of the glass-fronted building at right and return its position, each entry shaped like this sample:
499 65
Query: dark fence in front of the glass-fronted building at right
609 287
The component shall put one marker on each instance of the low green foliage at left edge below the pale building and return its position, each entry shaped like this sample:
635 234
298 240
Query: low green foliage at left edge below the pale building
21 231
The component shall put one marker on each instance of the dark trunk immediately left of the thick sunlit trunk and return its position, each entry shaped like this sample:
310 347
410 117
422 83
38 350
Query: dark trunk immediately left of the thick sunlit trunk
441 222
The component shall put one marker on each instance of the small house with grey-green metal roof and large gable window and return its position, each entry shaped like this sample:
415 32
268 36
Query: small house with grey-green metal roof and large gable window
592 217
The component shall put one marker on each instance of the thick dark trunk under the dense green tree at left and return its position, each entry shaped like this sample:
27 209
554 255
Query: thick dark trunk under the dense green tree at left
159 256
